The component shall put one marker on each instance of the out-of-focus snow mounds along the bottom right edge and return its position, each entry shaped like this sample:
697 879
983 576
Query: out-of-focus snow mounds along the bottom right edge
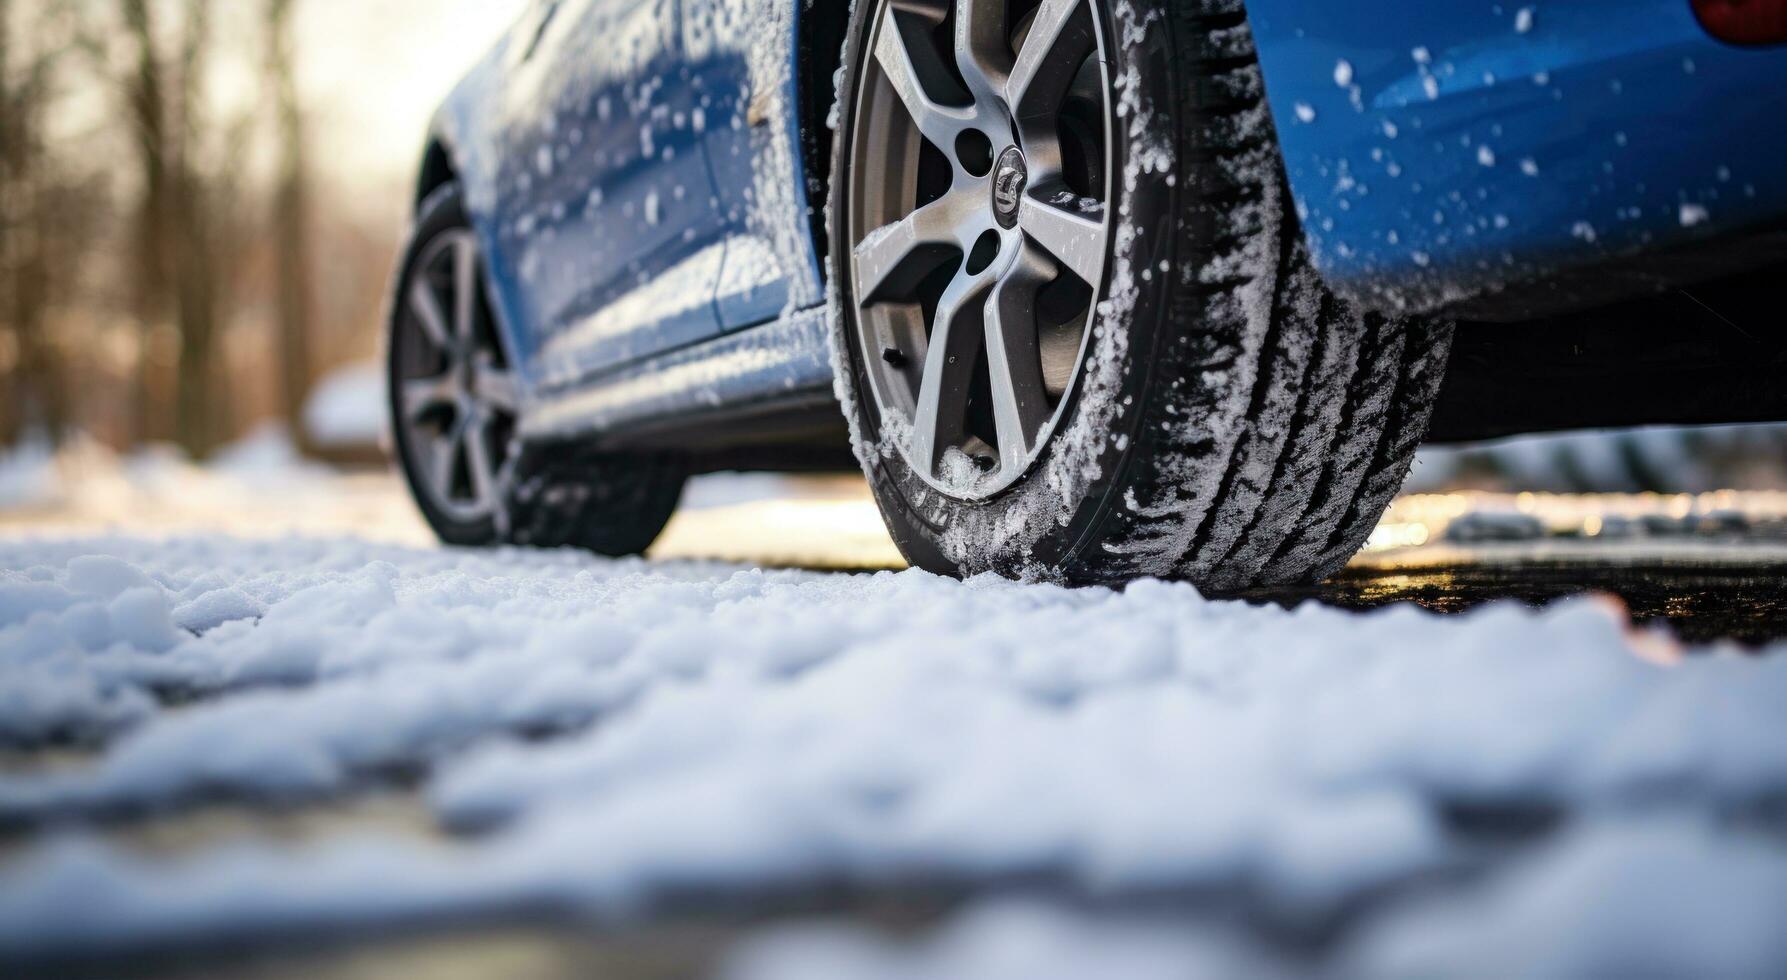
1611 900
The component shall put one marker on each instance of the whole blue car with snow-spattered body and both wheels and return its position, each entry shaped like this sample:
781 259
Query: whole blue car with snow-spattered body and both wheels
1103 289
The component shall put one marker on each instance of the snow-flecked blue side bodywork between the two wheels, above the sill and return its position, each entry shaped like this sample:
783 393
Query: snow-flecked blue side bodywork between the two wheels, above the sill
660 149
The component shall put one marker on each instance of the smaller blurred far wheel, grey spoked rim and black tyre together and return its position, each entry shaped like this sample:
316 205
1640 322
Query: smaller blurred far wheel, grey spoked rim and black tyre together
455 409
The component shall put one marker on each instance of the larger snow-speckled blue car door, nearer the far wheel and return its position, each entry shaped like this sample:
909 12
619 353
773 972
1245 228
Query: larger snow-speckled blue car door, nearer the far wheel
607 203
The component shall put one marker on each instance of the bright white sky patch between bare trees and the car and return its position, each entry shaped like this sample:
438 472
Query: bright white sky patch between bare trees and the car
376 71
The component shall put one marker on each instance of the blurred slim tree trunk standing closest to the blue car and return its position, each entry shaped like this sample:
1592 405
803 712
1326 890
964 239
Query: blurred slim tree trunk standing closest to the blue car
292 244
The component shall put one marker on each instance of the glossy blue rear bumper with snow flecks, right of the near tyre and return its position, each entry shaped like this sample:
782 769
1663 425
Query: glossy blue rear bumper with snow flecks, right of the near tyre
1606 128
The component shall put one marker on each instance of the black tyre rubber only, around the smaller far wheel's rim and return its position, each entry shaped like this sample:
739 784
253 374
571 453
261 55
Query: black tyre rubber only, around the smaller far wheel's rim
548 496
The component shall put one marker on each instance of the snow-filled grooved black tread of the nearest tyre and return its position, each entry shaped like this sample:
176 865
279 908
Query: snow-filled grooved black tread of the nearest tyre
1339 398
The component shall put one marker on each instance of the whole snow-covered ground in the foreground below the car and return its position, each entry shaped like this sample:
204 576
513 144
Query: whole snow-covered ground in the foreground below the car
222 743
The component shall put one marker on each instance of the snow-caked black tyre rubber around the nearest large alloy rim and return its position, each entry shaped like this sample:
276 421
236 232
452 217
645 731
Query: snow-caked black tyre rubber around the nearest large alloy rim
1236 423
